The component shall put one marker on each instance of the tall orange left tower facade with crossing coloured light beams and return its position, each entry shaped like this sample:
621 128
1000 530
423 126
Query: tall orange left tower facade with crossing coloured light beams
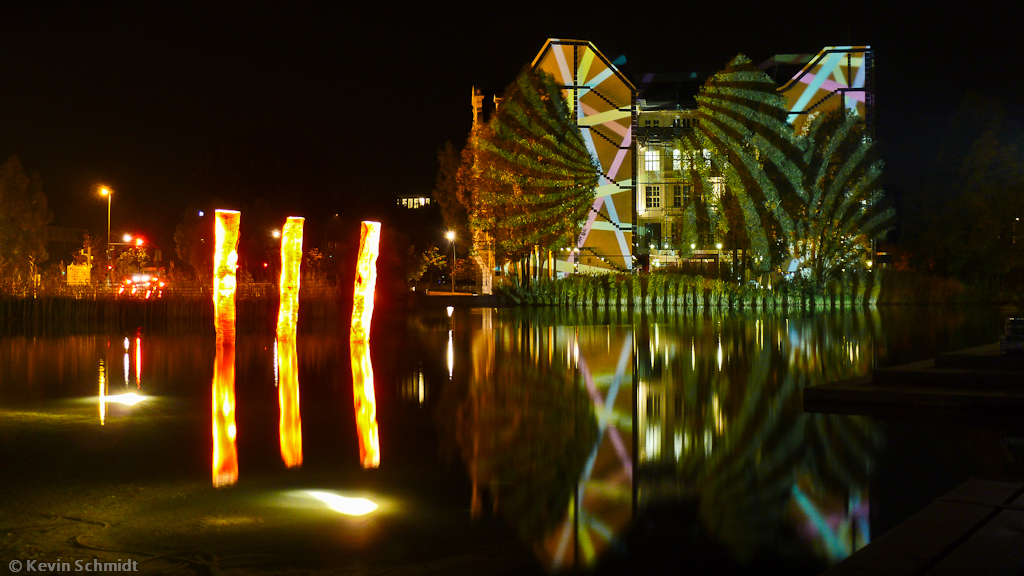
603 102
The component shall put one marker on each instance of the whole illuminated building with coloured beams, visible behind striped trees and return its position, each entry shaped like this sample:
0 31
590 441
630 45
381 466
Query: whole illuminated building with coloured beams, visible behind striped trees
644 189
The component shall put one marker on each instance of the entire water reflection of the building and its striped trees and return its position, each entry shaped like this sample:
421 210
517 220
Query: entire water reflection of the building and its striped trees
545 426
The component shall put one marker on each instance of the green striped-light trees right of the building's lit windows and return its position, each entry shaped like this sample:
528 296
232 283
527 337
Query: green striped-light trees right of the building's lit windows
815 197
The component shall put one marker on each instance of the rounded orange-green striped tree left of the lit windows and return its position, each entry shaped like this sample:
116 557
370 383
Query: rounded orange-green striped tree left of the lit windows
533 175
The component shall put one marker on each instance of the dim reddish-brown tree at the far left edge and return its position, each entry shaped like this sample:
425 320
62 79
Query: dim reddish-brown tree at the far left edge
23 215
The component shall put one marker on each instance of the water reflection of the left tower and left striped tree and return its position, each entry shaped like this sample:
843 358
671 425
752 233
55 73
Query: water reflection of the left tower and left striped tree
540 432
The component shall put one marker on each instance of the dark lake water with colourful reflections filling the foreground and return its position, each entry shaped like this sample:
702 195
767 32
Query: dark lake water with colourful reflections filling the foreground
513 440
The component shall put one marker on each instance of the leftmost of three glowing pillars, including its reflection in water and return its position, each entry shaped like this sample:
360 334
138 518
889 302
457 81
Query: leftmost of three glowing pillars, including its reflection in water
226 459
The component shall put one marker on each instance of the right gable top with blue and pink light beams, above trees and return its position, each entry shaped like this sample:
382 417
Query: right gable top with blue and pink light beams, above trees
836 77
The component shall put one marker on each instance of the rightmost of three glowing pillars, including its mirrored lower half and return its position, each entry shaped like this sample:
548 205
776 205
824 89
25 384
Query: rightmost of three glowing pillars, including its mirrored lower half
363 371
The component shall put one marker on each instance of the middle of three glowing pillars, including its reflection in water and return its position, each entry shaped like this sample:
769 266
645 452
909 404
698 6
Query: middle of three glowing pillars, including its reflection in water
288 389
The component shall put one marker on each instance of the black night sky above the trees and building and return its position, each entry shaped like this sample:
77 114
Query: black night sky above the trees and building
321 109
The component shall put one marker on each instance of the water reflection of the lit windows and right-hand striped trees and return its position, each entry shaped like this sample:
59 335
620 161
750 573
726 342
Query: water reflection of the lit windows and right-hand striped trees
726 417
